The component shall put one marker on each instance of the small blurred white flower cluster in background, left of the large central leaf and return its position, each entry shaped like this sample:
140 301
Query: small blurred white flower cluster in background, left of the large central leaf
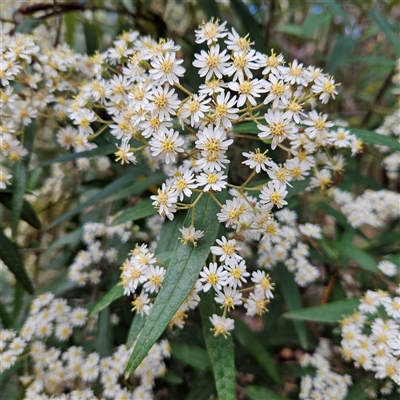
82 270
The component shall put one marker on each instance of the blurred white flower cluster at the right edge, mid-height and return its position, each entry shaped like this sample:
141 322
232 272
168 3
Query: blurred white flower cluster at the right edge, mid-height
373 208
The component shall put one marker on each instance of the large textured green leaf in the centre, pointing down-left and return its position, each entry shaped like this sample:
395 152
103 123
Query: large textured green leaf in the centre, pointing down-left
182 273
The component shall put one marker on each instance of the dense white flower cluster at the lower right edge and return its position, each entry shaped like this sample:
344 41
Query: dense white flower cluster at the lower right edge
371 336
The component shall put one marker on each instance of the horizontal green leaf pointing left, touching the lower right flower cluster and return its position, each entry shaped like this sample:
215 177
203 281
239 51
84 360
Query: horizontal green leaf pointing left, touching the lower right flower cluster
327 313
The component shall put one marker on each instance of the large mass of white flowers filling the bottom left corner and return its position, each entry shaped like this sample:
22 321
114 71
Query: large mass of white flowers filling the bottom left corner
71 374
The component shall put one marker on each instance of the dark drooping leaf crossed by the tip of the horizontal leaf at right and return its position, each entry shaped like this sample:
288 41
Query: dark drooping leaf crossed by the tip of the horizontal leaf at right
290 292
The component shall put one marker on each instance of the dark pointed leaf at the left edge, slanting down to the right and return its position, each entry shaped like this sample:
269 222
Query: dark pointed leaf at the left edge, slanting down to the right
10 256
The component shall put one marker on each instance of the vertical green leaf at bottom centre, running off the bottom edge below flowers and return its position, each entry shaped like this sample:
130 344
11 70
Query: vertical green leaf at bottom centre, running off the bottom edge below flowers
220 351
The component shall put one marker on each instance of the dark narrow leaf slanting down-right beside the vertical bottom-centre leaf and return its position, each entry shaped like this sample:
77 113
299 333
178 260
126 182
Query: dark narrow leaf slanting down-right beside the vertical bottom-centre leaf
256 348
